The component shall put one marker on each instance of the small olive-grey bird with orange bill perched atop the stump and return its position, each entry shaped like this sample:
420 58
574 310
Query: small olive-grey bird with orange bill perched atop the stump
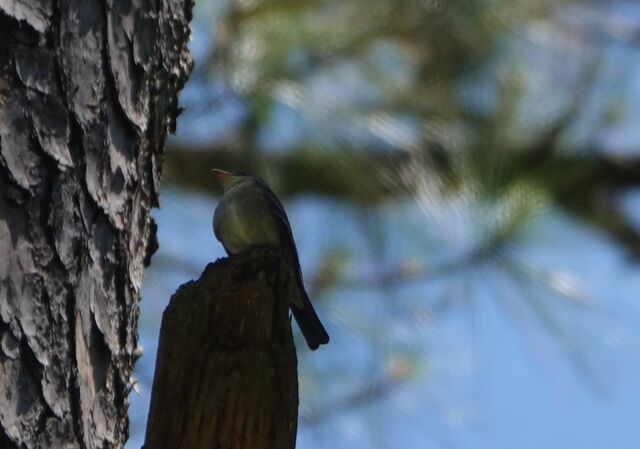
250 214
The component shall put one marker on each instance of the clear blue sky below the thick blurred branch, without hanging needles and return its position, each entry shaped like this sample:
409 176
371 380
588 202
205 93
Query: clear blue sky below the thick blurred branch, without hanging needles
493 379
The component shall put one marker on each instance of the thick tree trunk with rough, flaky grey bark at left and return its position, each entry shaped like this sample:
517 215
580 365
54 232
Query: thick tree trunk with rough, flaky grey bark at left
88 92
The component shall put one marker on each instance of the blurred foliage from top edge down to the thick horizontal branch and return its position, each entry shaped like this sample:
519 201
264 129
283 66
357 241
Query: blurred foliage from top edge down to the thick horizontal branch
359 100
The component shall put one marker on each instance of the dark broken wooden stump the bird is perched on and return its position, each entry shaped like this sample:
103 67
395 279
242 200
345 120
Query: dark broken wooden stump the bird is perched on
226 369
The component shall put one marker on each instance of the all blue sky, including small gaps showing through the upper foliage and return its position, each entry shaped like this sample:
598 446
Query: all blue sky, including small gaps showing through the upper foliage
487 372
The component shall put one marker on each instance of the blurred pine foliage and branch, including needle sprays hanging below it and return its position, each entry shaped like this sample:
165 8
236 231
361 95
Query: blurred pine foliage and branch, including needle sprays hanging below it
488 112
